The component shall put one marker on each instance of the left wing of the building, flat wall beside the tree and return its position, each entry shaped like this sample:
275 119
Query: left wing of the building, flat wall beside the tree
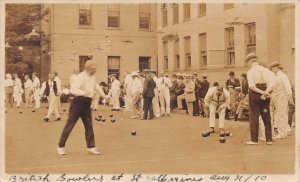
119 37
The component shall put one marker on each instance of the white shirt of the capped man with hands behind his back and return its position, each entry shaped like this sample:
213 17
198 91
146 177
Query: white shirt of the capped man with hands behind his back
260 75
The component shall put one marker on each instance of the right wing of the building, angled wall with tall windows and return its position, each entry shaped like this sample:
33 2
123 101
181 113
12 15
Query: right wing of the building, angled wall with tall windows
215 38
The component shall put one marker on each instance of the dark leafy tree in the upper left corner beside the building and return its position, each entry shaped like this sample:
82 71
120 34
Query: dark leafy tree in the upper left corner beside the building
20 19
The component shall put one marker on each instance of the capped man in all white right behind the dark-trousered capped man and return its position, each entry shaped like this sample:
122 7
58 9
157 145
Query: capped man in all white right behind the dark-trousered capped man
281 97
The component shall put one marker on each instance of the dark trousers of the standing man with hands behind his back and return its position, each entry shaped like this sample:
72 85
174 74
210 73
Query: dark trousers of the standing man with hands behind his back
257 109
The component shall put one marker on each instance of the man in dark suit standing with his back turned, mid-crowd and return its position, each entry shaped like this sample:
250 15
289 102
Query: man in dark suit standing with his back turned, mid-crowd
148 94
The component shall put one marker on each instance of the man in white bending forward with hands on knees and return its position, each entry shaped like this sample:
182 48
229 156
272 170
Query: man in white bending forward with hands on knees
217 99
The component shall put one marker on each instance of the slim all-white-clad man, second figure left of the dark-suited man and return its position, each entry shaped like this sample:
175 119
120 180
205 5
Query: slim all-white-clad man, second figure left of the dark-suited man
128 93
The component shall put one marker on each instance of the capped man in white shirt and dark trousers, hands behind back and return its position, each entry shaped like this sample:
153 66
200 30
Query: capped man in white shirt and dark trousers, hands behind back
261 82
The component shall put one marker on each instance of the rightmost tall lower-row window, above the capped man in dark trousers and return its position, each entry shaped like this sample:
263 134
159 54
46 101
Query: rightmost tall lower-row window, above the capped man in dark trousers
250 38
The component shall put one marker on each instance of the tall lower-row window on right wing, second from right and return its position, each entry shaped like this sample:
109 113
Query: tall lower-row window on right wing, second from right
229 43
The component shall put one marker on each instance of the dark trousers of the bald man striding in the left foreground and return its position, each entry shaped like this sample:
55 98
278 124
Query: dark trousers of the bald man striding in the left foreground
79 108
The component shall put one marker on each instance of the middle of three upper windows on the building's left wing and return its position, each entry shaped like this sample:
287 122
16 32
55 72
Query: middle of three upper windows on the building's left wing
113 16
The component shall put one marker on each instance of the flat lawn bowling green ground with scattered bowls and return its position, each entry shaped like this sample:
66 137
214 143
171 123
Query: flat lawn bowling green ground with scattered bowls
164 145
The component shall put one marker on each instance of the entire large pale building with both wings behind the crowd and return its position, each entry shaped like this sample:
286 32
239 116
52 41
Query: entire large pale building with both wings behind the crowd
206 38
